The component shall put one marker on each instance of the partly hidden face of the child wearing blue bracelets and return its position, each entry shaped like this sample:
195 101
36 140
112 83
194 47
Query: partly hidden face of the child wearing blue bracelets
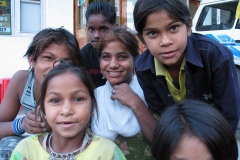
46 59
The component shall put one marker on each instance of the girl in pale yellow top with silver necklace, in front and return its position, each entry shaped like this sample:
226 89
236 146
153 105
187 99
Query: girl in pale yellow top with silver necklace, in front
67 102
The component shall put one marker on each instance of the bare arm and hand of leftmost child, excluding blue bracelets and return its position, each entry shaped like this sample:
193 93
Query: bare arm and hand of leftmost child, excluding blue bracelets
9 107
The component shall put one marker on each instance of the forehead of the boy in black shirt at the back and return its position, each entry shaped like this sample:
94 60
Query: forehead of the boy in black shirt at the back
96 20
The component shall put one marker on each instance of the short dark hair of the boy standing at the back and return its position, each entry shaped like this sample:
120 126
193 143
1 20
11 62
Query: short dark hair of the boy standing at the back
106 9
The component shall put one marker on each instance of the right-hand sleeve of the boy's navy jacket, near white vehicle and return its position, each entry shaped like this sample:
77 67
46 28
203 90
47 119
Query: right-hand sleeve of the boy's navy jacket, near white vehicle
225 87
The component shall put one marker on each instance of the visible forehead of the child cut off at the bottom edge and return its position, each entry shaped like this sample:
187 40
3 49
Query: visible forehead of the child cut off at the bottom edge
191 147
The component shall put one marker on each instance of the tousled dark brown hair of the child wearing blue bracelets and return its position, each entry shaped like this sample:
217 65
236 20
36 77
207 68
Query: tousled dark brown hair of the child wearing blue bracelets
59 36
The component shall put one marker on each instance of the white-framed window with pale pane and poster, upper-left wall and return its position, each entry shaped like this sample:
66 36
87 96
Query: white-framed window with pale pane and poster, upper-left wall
20 17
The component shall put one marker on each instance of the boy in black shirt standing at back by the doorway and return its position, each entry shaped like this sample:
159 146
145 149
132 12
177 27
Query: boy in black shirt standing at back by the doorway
100 17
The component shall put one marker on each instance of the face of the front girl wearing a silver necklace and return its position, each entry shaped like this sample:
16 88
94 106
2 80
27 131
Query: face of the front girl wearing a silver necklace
67 106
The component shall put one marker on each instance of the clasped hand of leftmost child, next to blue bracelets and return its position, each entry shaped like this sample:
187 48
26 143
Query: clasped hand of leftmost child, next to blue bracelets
33 123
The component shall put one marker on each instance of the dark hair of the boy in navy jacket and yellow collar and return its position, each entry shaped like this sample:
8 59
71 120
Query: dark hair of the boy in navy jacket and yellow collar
177 9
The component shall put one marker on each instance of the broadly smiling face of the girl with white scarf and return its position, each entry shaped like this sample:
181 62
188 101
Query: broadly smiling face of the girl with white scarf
116 63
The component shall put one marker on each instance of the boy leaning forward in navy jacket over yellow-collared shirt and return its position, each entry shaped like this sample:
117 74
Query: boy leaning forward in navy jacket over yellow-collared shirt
179 65
